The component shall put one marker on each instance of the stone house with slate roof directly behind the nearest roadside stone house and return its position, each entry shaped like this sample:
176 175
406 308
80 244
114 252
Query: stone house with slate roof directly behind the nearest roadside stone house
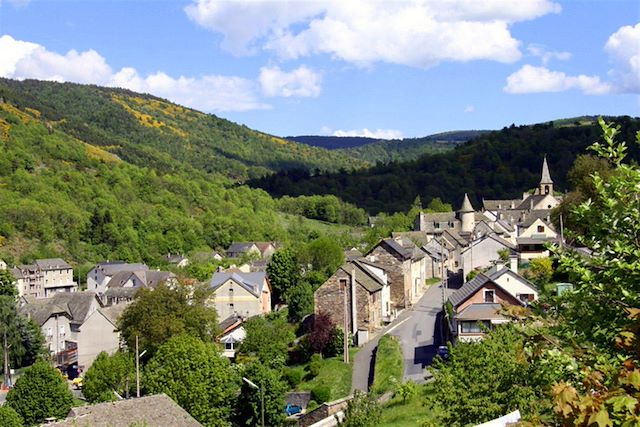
405 265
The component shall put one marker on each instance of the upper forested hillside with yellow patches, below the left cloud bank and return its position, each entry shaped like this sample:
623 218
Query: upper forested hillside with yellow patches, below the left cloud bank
148 131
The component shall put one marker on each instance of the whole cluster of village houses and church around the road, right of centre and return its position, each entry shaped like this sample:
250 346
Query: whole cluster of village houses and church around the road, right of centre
368 290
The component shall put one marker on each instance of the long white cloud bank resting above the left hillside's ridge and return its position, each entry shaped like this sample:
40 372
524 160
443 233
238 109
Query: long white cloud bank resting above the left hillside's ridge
22 60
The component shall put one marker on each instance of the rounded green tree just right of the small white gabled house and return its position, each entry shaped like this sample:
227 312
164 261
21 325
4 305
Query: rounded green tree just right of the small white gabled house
268 340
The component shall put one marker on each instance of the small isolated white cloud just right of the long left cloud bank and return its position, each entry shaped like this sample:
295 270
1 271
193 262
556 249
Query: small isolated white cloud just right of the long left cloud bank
301 82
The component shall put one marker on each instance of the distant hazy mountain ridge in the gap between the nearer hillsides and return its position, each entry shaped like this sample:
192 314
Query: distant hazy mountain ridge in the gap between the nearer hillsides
374 150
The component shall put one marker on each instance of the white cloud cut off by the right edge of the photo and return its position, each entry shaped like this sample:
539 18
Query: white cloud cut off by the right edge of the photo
624 49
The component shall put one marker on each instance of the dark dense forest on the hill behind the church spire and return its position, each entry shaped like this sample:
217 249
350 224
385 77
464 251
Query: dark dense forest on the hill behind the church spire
500 164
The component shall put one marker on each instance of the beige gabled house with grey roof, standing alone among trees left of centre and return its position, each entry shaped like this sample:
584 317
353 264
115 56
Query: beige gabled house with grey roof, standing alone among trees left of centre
242 294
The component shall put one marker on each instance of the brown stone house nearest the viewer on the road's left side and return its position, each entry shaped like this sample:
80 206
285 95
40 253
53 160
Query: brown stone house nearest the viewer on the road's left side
363 287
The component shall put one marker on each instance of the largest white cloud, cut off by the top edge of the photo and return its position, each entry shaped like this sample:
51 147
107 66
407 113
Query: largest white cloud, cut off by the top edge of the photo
418 33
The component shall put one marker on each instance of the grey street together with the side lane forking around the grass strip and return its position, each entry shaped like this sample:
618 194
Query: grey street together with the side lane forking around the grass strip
415 329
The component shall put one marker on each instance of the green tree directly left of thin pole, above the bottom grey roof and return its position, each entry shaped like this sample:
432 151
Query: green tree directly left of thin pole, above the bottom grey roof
109 374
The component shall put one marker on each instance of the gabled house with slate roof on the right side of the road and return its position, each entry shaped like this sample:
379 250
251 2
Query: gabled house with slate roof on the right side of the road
477 305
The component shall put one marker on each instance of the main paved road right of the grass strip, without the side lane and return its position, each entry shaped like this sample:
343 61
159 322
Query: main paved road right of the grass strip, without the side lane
419 334
